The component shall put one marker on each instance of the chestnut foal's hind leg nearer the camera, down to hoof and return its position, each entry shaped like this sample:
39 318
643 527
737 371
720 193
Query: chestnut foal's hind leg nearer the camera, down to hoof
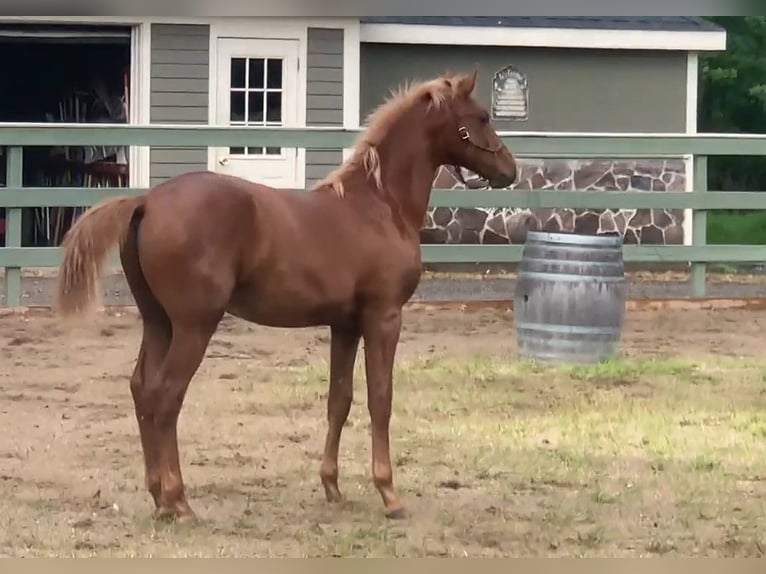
187 349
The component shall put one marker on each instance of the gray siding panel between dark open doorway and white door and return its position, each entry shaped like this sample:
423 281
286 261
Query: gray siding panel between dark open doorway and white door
179 92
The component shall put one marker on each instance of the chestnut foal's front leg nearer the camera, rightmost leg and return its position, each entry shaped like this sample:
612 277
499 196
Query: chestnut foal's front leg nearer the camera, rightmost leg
381 329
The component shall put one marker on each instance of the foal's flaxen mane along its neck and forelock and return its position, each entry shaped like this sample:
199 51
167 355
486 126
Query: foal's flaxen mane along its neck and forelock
379 121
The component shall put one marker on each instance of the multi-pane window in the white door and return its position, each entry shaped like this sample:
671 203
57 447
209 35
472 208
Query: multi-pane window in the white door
256 97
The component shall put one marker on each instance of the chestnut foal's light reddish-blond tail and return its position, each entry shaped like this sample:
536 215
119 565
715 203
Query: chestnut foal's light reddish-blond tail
86 246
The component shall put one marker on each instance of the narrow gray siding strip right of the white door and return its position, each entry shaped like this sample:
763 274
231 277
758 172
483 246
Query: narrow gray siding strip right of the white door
324 98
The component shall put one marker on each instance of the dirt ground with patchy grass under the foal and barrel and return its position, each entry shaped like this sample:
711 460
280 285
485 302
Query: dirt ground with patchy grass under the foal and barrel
662 451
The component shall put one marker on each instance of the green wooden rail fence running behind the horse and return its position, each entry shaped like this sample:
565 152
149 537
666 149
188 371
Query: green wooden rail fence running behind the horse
14 137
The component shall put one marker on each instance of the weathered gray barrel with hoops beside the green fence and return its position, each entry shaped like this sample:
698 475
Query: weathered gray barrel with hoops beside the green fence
569 300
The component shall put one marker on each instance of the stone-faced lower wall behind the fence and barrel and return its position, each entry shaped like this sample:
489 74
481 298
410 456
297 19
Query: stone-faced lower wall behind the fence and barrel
509 226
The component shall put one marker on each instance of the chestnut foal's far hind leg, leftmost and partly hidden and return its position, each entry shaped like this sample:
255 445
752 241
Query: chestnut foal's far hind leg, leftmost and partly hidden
154 346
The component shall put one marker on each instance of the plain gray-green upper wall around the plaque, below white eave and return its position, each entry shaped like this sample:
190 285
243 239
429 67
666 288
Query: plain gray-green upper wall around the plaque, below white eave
569 90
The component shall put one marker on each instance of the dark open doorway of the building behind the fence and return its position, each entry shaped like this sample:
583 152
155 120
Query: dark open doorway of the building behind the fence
72 74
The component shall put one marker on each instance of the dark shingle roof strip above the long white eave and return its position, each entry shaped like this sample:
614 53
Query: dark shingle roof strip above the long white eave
668 23
